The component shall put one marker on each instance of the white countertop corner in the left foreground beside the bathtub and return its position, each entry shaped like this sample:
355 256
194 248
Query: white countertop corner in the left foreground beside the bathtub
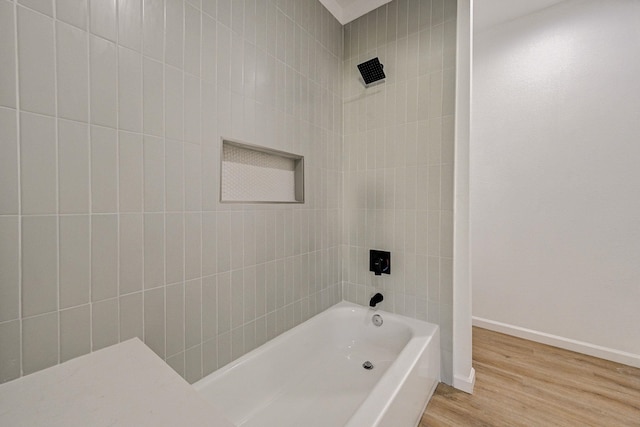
122 385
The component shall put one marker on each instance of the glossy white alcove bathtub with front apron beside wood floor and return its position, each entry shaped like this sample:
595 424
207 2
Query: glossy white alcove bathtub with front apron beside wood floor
312 375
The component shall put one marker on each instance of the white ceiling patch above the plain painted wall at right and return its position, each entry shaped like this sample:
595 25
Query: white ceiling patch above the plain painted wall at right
487 13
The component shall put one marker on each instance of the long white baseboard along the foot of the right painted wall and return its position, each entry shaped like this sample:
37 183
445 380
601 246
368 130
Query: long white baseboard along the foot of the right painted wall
560 342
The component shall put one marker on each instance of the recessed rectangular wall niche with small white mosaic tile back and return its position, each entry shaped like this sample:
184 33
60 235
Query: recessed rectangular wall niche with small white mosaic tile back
254 174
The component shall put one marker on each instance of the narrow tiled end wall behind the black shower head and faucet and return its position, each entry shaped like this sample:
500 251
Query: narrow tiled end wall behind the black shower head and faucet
398 161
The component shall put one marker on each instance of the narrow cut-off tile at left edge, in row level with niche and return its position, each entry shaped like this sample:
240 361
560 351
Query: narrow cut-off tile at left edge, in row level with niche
9 194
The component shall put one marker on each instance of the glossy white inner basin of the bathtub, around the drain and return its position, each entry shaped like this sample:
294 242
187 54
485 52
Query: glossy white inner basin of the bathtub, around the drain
313 373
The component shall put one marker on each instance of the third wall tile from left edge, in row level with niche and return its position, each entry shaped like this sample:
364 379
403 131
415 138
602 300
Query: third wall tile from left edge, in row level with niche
73 167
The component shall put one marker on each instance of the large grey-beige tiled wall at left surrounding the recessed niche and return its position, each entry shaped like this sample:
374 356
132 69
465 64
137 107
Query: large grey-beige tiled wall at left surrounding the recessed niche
111 114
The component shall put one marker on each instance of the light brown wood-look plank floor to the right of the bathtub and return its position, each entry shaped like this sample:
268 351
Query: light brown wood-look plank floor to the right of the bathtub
522 383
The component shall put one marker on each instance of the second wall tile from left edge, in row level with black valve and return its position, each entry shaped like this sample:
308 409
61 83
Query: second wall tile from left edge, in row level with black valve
39 265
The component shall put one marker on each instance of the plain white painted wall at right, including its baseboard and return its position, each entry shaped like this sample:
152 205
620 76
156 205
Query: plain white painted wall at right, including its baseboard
555 177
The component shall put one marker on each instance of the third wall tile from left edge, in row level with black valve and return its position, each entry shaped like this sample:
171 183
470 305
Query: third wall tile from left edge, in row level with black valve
75 260
